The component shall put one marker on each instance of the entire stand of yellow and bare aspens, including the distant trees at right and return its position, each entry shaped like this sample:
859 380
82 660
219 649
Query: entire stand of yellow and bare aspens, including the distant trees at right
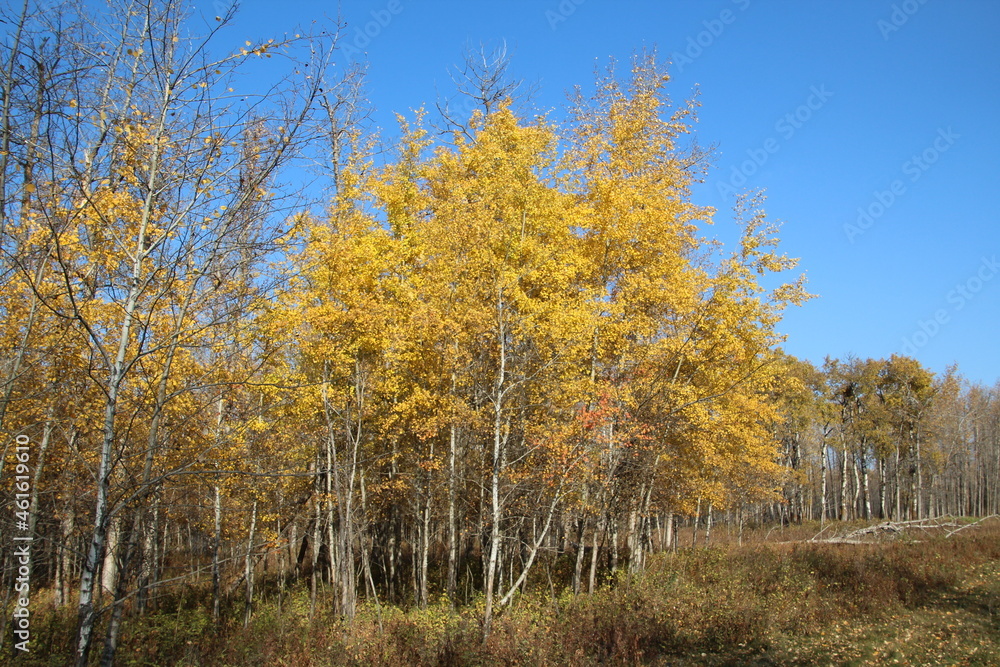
504 341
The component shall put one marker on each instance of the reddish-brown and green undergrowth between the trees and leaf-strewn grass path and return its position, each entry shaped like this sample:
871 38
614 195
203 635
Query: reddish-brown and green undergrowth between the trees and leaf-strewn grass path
721 601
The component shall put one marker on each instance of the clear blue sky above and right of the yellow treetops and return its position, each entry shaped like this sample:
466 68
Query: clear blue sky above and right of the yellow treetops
873 127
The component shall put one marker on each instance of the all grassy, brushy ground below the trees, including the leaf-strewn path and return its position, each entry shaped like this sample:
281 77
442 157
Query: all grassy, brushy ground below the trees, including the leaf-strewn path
930 601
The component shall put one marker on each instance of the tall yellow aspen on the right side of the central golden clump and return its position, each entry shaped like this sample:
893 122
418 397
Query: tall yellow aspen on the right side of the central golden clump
683 336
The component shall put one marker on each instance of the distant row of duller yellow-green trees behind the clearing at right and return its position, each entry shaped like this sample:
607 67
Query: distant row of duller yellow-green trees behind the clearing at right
887 439
